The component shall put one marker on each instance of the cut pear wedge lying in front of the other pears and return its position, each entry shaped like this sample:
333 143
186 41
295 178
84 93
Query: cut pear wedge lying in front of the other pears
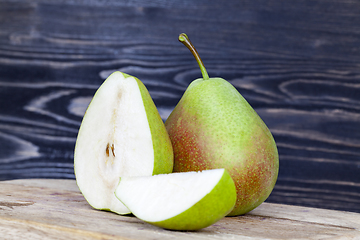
179 201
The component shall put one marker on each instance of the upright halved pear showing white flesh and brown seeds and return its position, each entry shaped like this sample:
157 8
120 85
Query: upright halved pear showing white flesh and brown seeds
121 134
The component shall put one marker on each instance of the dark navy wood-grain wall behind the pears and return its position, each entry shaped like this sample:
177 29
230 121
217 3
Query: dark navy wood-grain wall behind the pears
296 62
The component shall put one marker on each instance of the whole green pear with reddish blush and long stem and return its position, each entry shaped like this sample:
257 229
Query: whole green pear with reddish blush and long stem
213 126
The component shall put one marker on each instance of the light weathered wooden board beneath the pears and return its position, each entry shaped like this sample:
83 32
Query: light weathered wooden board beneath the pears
55 209
